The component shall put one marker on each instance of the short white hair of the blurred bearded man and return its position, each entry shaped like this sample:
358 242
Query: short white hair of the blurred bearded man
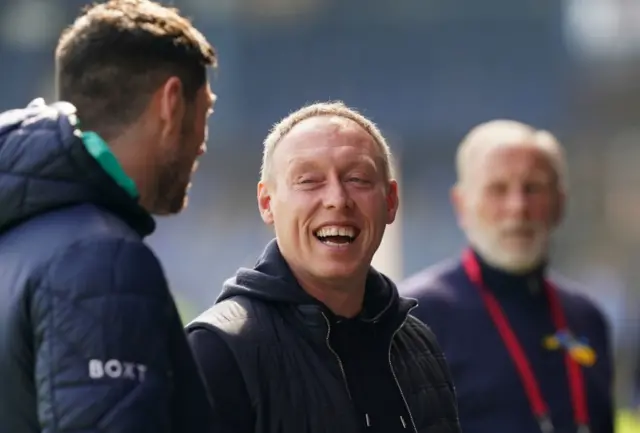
507 133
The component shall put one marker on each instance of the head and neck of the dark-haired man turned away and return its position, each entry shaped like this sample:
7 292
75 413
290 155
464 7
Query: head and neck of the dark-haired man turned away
124 57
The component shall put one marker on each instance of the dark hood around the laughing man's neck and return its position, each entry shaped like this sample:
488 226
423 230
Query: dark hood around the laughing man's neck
271 280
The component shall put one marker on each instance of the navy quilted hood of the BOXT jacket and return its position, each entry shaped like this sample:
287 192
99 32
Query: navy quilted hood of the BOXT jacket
44 165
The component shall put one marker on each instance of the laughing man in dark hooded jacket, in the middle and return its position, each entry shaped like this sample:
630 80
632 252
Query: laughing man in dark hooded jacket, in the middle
313 339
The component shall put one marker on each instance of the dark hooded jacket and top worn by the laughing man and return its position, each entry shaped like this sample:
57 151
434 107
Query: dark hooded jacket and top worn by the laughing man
276 360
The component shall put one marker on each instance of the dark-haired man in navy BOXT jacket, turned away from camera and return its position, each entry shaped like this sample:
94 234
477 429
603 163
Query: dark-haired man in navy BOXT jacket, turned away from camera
90 339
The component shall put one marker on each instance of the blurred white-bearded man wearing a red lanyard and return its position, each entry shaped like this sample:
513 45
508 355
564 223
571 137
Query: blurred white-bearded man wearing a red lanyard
527 353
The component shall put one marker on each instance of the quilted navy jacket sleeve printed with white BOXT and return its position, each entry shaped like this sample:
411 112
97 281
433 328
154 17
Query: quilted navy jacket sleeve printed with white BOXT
100 316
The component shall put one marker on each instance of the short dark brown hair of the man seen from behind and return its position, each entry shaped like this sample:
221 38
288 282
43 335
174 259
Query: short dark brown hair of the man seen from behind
116 54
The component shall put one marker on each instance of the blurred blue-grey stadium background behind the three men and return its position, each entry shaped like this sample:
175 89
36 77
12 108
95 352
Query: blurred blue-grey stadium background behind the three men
426 71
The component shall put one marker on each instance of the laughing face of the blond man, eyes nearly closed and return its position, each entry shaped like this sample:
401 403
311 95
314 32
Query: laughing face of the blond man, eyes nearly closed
328 198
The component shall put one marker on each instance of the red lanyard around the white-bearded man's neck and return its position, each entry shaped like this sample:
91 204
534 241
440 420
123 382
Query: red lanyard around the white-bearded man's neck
576 380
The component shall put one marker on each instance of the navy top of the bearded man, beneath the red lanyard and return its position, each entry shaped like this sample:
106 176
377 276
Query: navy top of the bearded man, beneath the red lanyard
491 396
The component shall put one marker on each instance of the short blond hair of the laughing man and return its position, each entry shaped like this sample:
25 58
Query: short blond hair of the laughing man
318 109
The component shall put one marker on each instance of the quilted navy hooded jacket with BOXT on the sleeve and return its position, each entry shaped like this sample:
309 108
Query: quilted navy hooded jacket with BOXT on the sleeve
90 339
